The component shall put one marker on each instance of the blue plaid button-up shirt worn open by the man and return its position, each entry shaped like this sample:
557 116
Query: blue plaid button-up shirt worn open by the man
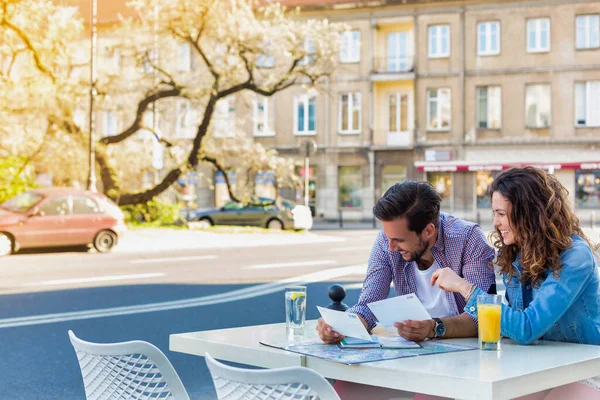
460 245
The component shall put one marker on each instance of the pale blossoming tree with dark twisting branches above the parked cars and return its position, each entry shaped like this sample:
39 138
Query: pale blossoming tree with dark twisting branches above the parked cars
236 46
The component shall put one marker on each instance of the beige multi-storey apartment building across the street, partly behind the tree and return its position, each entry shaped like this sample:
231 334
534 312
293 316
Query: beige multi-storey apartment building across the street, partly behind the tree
447 91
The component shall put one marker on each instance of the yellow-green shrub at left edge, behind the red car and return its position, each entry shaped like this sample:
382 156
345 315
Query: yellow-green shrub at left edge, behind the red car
15 177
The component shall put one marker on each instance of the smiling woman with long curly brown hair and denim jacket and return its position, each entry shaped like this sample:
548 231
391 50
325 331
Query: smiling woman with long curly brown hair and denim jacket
548 267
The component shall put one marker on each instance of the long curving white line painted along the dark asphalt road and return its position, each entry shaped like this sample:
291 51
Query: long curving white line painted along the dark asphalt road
235 295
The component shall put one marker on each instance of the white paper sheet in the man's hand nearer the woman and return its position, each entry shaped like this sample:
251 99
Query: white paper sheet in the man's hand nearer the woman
398 309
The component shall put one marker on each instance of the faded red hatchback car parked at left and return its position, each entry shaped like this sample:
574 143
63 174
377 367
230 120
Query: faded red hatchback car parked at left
56 217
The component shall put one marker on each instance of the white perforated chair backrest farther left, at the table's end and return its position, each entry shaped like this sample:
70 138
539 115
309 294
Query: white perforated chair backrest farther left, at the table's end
133 370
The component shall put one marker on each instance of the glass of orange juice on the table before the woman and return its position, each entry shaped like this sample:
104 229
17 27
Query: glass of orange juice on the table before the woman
489 313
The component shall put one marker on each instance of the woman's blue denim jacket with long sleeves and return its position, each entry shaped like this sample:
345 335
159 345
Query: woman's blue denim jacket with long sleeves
564 308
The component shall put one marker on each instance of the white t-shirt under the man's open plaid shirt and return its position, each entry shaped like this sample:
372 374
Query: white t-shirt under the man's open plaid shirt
433 298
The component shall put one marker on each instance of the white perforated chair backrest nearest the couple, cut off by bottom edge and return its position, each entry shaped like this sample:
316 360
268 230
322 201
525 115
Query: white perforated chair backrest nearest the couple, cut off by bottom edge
297 383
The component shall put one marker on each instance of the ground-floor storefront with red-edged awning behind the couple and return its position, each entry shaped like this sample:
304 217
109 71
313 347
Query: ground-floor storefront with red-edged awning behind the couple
464 186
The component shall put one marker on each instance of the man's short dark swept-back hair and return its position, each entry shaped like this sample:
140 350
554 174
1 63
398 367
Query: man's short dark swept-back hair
418 202
